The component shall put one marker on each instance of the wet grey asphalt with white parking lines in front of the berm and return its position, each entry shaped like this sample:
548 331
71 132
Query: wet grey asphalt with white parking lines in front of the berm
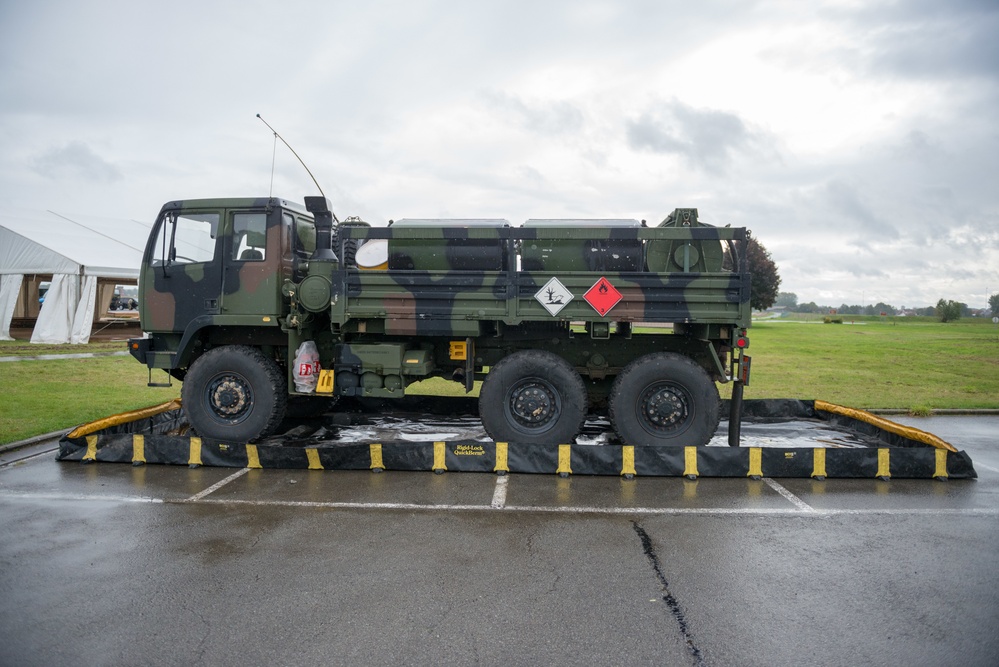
109 564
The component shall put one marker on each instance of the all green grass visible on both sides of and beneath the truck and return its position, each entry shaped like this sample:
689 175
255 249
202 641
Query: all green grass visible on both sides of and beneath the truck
909 363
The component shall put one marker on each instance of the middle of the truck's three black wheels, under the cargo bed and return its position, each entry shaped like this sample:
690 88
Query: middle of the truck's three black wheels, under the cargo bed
533 397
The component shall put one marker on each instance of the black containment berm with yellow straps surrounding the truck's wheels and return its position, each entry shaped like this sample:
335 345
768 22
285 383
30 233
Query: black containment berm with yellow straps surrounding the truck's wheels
880 449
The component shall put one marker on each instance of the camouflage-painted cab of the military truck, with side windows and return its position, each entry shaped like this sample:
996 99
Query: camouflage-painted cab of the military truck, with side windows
213 270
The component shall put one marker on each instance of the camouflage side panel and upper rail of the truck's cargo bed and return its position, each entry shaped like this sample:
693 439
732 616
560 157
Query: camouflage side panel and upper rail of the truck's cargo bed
431 299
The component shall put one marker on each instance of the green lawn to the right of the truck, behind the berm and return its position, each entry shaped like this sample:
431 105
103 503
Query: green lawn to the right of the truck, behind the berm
901 363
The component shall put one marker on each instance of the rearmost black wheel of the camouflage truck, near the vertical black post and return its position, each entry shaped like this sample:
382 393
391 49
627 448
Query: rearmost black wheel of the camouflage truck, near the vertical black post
664 399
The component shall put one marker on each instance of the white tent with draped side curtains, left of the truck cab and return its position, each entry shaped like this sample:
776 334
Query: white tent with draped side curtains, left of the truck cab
76 251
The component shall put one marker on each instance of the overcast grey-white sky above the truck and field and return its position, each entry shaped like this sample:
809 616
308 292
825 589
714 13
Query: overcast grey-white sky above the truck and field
859 140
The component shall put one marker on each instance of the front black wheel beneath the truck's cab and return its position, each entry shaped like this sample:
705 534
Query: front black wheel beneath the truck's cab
234 393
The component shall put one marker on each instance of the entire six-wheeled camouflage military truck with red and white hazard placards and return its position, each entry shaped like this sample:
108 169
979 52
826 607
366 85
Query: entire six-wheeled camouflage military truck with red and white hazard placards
555 317
